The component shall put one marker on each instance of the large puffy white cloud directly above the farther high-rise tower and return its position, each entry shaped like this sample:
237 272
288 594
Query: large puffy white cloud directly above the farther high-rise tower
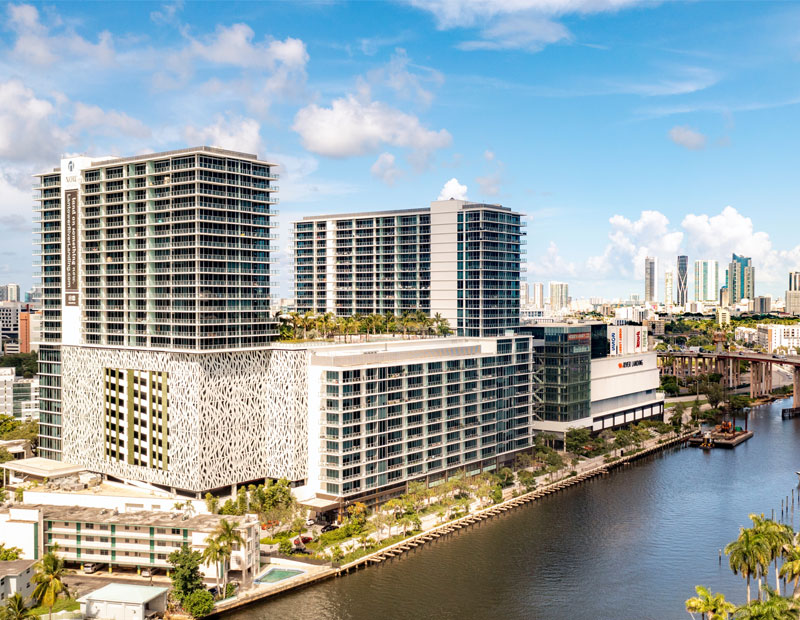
358 126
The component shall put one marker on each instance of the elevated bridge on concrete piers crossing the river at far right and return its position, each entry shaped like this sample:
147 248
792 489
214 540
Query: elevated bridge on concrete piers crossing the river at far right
726 363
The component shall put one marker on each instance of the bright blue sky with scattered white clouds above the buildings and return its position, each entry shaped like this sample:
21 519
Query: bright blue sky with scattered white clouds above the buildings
621 128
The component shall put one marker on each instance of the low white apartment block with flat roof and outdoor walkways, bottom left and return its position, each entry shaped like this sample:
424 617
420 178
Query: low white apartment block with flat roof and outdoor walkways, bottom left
141 539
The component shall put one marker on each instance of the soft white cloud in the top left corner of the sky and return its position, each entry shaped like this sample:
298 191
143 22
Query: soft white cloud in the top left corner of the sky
37 44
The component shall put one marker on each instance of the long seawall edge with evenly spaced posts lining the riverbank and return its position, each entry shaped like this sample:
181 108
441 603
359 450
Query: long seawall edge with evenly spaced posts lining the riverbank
410 543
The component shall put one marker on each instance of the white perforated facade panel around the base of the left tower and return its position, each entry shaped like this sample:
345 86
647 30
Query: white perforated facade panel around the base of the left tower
233 417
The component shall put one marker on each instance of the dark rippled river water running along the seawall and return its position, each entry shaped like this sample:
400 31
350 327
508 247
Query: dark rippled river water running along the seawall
631 545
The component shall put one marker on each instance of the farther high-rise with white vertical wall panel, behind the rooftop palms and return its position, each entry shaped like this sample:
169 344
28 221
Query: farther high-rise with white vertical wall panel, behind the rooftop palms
457 258
